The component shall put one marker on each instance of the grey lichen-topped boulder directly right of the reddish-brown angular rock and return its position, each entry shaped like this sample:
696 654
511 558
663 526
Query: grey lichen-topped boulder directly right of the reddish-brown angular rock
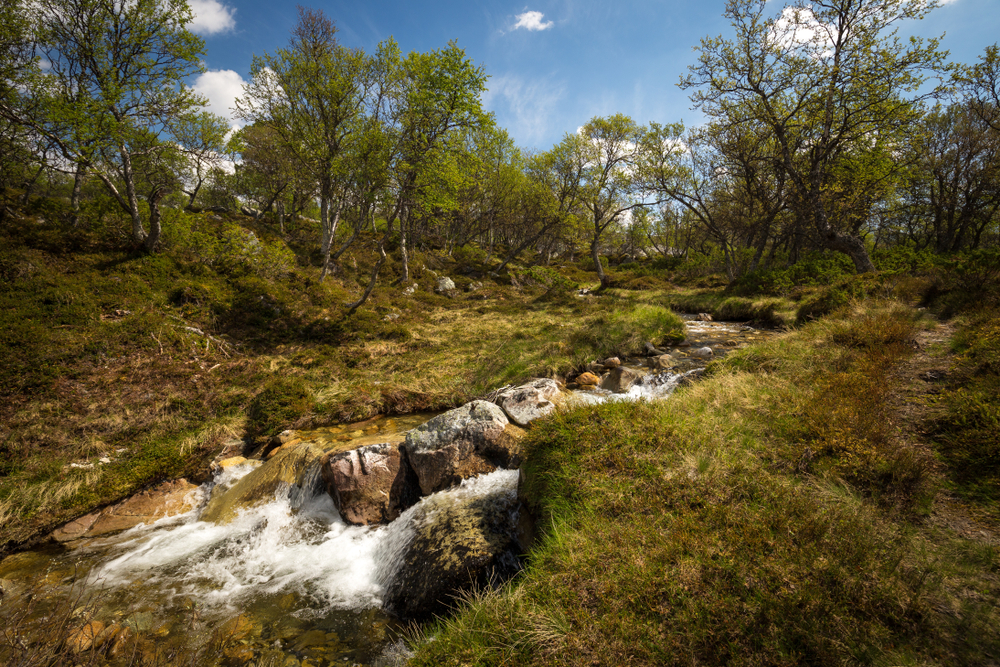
458 444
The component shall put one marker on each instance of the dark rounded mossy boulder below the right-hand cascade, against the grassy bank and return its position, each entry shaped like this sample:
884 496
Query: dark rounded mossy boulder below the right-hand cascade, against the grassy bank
459 544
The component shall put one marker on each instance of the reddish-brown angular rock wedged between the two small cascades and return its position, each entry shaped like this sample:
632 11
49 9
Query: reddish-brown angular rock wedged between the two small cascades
371 484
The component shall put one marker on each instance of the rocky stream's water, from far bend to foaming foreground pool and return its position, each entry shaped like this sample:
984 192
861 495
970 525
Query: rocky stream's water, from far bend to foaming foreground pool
307 585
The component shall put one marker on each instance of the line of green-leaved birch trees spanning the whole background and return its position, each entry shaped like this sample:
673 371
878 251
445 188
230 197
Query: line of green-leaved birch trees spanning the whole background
825 132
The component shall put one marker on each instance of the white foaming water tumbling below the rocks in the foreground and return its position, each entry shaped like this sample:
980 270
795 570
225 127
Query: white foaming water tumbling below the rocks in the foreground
294 543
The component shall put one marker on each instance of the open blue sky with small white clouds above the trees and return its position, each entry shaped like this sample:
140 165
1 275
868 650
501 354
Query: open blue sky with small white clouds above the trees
552 64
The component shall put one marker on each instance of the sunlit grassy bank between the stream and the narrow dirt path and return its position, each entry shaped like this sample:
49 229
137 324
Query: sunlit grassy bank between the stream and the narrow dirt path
773 514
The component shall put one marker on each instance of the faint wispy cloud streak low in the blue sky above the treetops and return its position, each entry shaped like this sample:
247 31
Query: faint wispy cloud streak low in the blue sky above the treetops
526 108
